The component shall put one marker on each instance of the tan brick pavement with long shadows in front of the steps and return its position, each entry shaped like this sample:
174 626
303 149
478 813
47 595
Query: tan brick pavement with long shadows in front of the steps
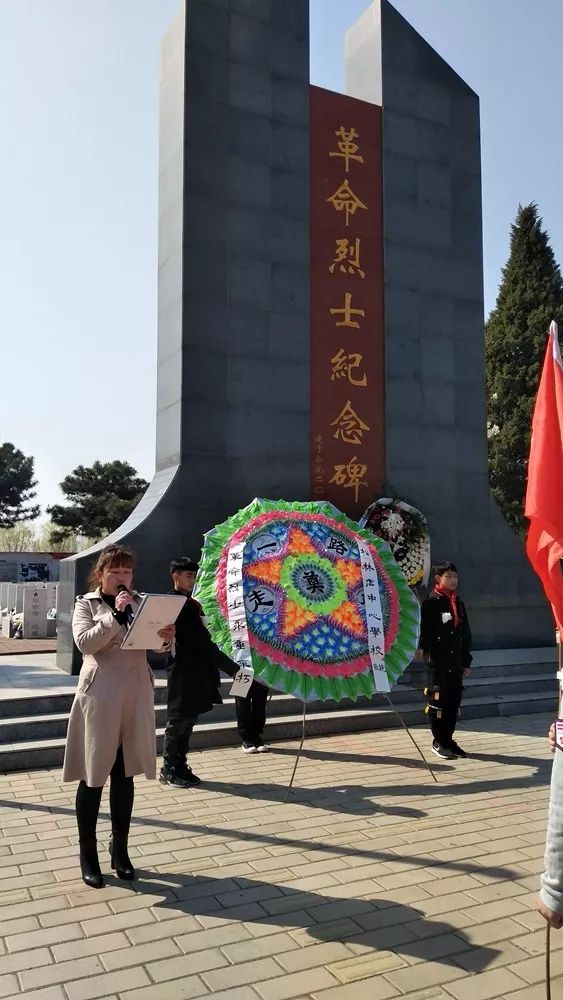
370 883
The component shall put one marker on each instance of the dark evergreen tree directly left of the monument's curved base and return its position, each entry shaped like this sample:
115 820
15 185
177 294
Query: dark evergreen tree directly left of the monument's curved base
100 497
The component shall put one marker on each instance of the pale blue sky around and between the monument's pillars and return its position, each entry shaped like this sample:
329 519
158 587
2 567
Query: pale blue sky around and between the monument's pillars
78 175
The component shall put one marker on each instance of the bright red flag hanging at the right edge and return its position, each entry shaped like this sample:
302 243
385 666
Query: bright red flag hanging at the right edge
544 495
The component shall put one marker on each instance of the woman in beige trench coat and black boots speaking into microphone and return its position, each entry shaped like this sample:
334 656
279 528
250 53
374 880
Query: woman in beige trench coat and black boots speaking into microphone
111 730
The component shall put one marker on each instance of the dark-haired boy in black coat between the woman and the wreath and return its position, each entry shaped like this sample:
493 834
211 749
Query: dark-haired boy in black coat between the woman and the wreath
194 683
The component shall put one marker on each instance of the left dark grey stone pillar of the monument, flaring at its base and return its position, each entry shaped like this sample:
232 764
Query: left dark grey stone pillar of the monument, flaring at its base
233 294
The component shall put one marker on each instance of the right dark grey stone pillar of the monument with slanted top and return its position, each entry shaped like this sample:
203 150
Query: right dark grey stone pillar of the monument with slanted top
436 440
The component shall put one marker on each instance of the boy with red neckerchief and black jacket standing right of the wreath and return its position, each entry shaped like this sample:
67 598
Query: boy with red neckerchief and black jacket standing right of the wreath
445 641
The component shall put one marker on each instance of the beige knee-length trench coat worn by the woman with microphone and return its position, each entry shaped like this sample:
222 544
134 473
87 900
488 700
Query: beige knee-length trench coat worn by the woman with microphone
114 700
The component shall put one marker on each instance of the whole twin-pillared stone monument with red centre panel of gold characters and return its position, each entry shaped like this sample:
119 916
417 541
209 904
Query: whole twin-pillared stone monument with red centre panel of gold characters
320 318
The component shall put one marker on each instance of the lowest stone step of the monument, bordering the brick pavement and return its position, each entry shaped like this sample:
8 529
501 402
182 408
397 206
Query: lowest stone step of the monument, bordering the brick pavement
33 754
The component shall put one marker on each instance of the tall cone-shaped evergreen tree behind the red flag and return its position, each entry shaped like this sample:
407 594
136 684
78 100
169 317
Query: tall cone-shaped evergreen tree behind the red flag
529 297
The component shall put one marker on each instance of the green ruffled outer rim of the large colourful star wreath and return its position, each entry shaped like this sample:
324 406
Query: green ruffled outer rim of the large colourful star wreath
290 681
